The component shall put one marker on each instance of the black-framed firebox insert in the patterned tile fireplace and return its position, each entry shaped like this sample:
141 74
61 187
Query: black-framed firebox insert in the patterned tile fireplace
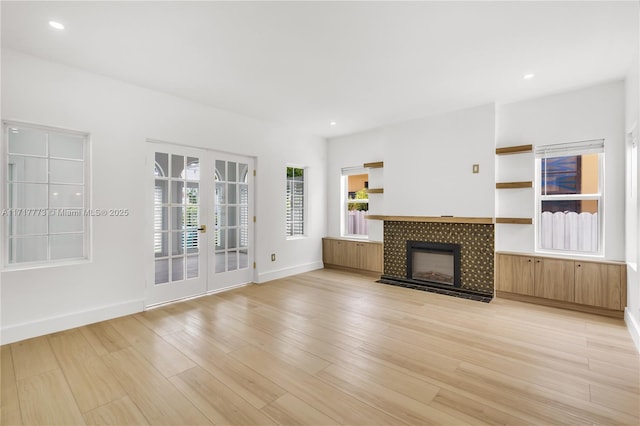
433 263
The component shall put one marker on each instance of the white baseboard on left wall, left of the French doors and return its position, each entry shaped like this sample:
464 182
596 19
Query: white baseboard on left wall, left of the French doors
15 333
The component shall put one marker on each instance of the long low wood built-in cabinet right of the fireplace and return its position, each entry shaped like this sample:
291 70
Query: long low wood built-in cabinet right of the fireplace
590 286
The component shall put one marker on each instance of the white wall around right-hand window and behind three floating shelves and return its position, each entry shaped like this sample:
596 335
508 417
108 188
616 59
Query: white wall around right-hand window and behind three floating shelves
591 113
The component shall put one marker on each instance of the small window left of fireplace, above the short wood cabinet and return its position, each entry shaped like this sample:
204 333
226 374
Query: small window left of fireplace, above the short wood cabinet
357 203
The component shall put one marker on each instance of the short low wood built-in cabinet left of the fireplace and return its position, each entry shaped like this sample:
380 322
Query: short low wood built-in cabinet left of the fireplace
365 256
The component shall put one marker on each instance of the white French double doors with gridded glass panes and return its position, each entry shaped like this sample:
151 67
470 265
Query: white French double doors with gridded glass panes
202 218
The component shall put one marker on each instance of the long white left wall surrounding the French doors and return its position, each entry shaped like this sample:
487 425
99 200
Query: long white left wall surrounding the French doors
120 117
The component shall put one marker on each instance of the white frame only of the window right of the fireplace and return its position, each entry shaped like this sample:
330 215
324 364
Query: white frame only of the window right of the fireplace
595 146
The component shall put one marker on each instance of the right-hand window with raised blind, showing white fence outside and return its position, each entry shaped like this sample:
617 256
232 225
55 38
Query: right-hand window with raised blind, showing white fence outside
570 197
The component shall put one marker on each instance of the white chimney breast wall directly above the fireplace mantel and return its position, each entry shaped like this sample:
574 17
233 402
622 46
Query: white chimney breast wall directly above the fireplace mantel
429 170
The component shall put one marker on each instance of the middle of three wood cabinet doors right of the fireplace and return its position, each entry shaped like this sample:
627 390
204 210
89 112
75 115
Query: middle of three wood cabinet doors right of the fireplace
554 279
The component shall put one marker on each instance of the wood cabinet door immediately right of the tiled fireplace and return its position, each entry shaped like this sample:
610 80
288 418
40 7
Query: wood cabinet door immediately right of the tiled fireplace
514 274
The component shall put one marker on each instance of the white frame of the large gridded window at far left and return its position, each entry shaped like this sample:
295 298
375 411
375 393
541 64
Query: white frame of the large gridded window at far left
7 126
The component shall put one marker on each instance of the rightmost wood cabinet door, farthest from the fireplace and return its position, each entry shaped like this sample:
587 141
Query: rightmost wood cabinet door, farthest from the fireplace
598 284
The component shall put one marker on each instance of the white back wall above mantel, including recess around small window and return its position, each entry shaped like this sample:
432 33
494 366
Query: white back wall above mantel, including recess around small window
427 167
